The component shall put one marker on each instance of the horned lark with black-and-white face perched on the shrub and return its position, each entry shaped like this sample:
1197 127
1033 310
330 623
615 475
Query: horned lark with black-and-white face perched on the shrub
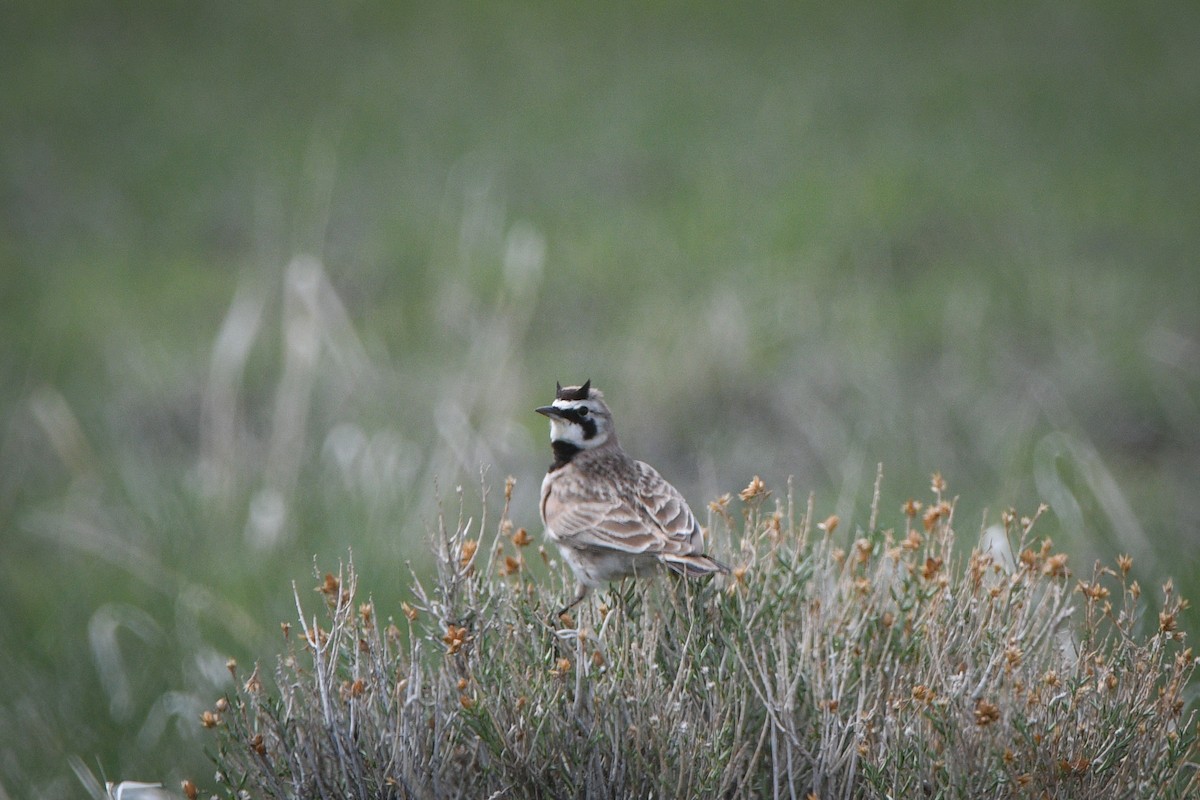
610 515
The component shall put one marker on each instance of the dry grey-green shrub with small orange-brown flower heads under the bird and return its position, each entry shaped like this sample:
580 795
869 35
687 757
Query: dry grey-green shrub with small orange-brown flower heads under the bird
829 665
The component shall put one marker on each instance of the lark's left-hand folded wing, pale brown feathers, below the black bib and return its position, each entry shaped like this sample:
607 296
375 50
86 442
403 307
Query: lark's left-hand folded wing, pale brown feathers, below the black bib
598 518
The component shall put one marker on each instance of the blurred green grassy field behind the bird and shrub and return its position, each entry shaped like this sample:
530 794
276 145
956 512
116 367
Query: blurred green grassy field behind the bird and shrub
788 242
